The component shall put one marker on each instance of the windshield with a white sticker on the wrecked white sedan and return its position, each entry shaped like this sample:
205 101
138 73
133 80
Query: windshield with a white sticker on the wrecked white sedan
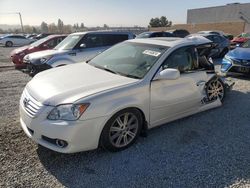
129 59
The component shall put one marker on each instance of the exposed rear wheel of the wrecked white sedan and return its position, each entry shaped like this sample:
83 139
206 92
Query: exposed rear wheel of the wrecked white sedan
215 89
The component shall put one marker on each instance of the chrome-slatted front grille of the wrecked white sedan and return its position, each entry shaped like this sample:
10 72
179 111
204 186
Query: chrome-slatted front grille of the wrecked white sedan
31 105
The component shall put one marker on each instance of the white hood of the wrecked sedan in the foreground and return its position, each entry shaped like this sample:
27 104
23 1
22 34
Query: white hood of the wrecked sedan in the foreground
72 82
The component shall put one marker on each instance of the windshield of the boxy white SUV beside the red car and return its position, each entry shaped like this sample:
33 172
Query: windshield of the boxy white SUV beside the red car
69 42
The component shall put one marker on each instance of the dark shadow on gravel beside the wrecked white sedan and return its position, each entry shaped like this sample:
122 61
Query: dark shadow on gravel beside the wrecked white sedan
209 149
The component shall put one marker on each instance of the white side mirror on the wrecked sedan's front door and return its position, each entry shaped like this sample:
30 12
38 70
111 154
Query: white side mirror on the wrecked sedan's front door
168 74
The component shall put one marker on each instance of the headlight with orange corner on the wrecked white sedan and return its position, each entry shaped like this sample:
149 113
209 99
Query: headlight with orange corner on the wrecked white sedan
70 112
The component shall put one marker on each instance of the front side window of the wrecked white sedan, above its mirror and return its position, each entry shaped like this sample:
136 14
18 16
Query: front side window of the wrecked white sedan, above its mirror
181 59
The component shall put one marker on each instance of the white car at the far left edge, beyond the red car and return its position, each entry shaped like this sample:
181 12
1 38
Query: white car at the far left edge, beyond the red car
17 40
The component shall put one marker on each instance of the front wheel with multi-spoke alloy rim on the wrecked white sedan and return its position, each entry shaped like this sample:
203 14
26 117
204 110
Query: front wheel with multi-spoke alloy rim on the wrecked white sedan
118 135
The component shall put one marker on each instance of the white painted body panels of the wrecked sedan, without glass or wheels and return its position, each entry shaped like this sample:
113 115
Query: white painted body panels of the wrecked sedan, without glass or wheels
160 100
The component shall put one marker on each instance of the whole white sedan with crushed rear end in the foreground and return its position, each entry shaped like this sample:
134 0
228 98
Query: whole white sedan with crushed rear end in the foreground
134 86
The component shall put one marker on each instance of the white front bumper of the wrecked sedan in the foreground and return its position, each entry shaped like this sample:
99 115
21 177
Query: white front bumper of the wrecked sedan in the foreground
80 135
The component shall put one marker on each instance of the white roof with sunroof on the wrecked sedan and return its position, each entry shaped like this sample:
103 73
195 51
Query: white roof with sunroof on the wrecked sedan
173 41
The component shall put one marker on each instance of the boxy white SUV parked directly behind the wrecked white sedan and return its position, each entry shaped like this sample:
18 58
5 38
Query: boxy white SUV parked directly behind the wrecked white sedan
77 47
